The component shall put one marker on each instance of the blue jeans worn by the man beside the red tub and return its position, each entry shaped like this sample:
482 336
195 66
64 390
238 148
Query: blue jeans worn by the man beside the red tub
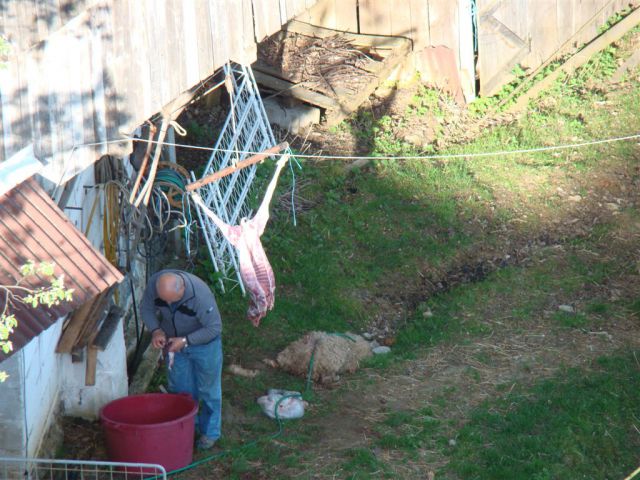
197 370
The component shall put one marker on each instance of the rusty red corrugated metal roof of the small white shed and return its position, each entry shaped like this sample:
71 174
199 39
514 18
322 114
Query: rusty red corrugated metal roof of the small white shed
32 227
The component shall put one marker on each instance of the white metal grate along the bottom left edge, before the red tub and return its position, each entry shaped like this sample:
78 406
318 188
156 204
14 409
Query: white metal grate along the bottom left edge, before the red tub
46 469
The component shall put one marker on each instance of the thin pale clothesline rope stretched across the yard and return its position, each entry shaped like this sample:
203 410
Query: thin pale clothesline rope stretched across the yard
443 156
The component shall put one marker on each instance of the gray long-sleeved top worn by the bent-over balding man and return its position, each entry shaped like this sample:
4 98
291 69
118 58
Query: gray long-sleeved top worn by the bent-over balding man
194 316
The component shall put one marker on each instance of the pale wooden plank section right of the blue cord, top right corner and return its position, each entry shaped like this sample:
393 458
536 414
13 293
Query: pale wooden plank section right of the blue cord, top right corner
515 32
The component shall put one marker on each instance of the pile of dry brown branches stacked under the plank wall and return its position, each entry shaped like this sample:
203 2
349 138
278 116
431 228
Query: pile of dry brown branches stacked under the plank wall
331 65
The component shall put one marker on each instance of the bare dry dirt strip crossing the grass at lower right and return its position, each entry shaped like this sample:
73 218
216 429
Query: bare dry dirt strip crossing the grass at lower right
456 378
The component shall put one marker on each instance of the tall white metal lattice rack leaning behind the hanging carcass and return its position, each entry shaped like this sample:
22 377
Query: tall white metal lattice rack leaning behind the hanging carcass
246 129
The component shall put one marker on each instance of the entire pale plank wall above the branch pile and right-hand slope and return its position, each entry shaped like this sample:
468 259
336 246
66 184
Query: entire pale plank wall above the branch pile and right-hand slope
509 32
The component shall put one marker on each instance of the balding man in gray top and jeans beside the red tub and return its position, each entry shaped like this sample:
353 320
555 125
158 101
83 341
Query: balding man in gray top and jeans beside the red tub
181 312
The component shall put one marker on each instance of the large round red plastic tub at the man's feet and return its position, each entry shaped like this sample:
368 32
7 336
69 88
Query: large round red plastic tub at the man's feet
151 428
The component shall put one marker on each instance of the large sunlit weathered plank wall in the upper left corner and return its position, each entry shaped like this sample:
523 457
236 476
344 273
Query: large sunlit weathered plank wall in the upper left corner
83 71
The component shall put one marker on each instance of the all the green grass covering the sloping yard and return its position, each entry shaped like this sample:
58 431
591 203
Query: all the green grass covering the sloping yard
371 239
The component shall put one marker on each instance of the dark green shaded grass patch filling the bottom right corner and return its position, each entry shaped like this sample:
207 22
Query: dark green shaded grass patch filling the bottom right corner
575 426
